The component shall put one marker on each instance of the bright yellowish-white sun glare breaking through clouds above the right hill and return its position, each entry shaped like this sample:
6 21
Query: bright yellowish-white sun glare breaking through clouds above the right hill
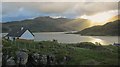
100 18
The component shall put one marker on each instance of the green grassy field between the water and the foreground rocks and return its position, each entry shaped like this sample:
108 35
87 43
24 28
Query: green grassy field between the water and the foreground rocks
84 53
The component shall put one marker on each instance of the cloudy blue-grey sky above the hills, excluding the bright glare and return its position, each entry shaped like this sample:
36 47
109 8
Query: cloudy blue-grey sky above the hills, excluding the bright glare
12 11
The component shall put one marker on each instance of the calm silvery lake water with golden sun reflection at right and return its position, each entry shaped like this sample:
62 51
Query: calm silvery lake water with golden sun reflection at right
74 38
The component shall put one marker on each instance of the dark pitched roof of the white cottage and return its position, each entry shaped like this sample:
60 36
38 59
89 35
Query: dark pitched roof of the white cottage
18 32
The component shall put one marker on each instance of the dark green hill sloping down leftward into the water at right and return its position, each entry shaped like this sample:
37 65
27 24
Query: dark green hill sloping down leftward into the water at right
110 29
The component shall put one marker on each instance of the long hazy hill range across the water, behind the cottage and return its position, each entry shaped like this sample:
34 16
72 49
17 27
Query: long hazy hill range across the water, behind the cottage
47 24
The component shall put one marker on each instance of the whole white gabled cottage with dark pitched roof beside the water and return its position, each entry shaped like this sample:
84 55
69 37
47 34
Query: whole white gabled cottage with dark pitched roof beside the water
22 33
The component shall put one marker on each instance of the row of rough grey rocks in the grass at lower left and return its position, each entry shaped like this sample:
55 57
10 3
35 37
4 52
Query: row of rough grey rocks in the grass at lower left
22 58
